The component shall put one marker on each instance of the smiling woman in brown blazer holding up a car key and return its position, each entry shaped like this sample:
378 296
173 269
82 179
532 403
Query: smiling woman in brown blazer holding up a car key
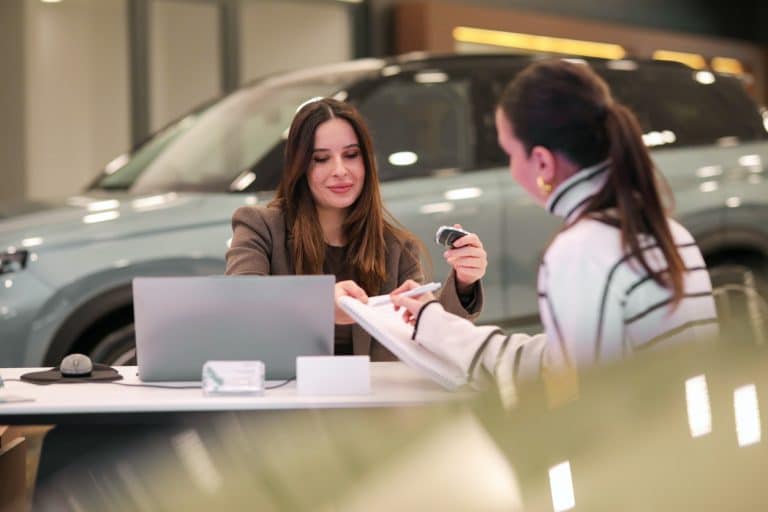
328 218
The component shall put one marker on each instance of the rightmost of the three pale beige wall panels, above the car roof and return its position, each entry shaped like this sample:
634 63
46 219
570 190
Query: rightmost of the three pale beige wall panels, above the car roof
277 35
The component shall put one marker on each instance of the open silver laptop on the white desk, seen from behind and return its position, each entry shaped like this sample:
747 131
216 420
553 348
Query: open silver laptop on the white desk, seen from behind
182 322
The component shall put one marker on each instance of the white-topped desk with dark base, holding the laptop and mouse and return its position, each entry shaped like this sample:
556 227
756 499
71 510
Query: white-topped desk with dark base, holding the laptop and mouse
95 418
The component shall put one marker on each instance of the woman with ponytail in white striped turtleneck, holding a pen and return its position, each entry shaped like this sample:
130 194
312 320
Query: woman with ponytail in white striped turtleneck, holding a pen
620 276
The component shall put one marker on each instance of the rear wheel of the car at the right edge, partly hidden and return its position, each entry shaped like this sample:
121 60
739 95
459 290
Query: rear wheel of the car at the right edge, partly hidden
741 297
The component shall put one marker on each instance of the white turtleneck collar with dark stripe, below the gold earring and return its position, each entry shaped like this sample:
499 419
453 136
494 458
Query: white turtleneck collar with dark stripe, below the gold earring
571 196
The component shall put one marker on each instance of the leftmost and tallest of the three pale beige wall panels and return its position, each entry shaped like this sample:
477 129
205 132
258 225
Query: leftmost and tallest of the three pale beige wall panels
77 85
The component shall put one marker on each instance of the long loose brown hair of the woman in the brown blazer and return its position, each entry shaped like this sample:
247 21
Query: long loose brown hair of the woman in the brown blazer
367 220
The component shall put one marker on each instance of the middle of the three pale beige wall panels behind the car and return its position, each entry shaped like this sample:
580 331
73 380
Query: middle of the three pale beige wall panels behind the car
184 56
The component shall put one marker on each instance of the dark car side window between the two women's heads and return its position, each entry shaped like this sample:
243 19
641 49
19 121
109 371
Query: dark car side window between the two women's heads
421 124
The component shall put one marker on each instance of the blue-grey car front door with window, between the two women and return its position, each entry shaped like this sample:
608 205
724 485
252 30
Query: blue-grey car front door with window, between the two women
424 127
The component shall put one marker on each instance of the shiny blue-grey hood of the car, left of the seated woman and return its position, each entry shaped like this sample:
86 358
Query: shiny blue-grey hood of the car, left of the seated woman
89 218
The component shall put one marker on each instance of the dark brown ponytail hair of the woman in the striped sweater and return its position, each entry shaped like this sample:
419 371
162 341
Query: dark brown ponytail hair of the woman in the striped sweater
567 108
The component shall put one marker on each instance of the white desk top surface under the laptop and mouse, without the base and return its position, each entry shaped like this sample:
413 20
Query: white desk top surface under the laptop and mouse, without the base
392 385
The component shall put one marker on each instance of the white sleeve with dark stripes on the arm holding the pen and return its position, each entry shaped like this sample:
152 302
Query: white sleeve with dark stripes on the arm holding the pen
471 347
